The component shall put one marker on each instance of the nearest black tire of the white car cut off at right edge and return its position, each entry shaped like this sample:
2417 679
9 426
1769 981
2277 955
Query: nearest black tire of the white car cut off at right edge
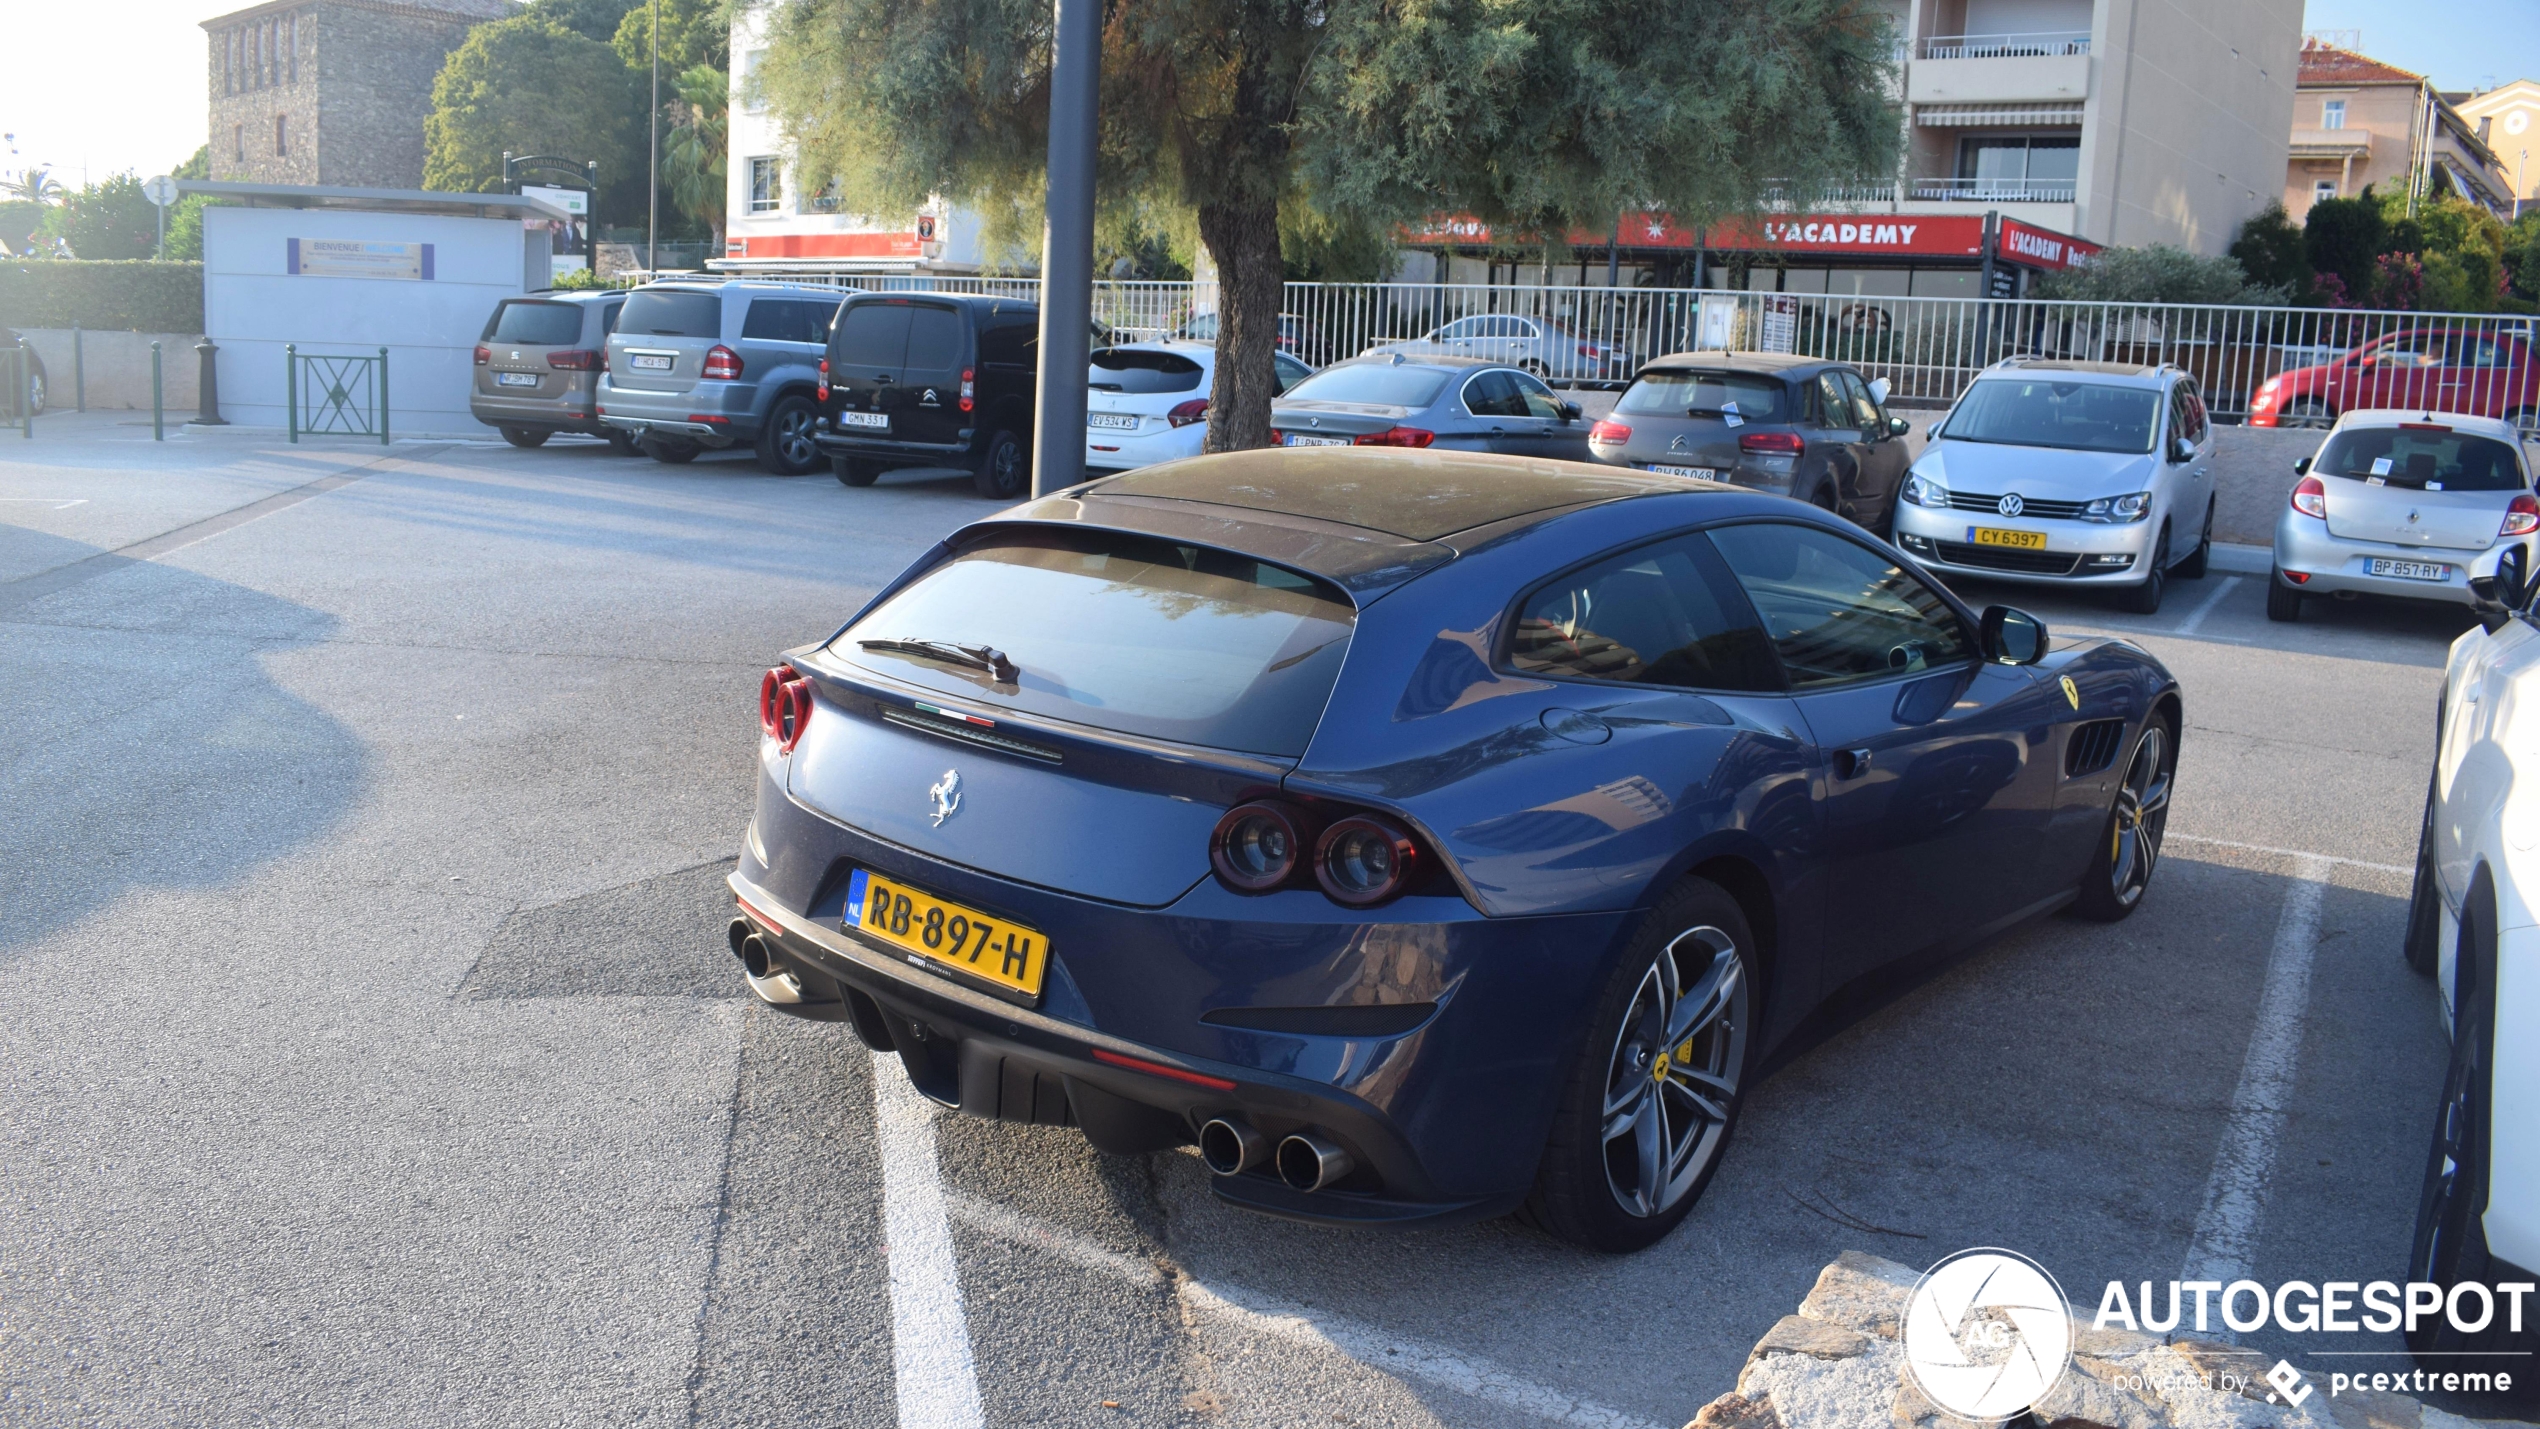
2450 1245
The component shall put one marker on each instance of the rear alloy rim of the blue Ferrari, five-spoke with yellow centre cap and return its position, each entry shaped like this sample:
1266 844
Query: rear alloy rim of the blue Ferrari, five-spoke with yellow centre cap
1673 1077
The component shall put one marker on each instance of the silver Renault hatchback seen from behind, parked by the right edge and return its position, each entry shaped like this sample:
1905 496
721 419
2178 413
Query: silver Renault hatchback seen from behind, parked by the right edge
2402 504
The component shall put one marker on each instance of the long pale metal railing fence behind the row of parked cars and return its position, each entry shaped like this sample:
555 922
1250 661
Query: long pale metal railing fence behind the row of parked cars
1929 349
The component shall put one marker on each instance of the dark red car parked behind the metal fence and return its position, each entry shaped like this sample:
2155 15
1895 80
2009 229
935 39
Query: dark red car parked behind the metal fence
2430 369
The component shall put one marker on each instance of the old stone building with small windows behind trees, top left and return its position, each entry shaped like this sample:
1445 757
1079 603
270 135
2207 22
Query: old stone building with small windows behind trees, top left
331 90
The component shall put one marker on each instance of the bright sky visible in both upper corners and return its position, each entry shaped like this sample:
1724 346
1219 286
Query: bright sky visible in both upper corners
121 88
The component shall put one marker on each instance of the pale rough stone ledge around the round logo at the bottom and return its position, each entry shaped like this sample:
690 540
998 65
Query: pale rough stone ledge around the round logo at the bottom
1840 1364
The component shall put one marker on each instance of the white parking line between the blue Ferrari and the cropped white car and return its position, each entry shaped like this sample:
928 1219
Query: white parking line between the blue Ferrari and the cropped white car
2226 1237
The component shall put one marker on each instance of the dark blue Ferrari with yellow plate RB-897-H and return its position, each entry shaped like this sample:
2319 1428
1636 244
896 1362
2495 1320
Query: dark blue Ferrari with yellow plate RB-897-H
1426 836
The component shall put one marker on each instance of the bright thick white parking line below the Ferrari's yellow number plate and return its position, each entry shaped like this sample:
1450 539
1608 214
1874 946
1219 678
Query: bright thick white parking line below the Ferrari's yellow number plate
931 1334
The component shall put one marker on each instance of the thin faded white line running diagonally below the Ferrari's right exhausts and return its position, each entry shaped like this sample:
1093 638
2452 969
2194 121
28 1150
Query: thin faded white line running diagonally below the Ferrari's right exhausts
1304 1326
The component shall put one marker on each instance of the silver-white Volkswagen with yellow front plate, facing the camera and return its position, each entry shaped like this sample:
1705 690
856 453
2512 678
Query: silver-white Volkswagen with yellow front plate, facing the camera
2069 476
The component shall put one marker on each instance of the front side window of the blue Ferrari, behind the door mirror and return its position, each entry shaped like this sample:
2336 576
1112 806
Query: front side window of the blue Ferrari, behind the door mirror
1835 608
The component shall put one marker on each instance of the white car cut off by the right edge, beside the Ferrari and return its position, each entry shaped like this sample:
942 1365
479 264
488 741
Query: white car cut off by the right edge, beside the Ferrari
2475 925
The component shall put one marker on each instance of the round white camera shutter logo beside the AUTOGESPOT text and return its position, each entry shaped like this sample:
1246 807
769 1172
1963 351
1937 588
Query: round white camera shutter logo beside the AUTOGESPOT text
1988 1334
